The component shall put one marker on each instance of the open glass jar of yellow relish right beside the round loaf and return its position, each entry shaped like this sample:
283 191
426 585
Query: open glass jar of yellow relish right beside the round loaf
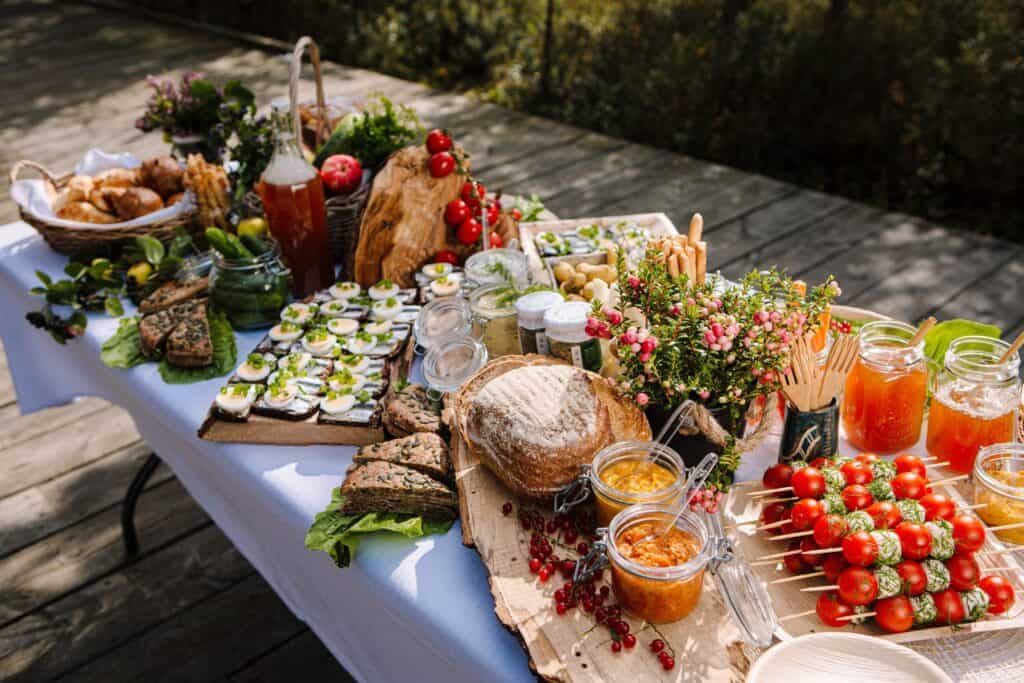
633 474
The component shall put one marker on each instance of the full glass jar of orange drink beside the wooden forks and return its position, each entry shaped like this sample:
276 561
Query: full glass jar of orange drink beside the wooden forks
884 400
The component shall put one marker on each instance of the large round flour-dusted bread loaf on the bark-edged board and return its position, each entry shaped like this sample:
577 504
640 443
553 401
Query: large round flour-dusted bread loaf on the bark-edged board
533 422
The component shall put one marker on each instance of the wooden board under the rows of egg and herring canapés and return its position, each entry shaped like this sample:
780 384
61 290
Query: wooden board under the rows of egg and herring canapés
264 430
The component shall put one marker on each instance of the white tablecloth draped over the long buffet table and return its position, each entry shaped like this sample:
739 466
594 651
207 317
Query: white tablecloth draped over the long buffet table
403 612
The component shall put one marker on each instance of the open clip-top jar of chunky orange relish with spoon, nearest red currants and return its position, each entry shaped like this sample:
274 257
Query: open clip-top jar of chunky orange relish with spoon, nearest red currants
659 580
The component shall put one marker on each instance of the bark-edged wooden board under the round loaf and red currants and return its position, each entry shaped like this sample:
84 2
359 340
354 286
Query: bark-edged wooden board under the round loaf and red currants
569 649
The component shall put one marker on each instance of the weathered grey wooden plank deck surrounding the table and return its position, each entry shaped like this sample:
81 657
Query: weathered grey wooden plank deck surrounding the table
192 609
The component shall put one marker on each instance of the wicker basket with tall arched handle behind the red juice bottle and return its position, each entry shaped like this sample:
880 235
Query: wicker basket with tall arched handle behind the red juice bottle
344 212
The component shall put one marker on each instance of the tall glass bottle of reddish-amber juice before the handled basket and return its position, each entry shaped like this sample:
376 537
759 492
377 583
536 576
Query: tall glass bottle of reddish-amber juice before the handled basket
293 201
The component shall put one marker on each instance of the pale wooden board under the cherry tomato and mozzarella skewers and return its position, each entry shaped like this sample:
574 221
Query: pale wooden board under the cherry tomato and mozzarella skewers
789 600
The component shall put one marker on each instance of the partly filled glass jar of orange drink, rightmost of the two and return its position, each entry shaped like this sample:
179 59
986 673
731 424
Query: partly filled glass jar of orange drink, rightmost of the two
975 402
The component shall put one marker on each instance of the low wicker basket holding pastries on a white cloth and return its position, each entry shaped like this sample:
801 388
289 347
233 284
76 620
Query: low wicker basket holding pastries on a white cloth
92 242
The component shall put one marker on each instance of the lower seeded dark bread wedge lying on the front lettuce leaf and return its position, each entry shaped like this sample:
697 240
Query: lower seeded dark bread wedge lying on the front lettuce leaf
380 487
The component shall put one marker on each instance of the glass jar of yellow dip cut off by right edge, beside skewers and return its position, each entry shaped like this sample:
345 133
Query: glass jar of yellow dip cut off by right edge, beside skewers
999 484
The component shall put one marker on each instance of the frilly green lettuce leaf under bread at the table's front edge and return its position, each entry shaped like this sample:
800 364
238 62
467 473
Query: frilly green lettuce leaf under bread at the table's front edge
338 535
